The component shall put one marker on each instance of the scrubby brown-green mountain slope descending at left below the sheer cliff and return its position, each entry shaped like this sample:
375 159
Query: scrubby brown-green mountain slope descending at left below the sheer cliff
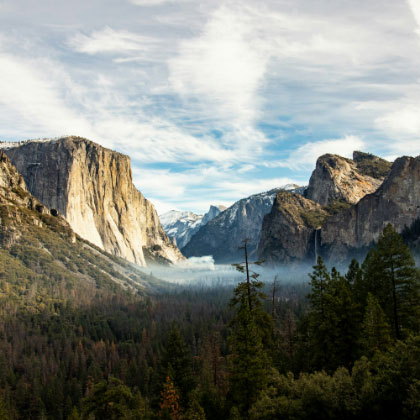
42 260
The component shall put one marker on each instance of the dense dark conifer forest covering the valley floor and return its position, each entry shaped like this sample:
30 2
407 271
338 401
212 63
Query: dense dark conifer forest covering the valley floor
341 346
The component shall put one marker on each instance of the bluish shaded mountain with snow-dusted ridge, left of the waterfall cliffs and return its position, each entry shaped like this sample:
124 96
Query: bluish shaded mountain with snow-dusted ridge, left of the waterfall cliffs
223 235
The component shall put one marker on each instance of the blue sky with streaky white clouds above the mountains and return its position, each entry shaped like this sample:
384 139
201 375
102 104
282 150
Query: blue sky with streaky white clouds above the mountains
214 100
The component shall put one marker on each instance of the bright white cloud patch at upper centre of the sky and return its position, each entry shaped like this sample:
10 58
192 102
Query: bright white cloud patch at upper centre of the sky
222 67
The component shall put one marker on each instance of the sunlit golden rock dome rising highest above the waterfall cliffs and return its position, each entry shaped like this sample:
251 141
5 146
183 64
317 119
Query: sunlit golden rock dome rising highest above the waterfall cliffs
339 179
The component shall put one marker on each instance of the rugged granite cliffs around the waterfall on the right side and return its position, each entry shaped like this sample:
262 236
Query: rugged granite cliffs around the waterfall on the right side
352 202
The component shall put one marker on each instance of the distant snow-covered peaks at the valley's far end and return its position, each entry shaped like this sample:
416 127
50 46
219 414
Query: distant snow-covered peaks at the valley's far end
180 226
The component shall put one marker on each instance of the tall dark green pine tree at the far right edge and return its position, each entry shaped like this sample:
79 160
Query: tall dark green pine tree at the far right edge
391 275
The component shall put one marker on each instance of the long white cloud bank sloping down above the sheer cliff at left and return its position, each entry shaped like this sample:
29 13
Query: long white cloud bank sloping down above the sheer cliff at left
45 103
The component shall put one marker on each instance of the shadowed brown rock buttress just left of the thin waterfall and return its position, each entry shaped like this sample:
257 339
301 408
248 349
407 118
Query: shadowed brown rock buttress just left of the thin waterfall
290 231
